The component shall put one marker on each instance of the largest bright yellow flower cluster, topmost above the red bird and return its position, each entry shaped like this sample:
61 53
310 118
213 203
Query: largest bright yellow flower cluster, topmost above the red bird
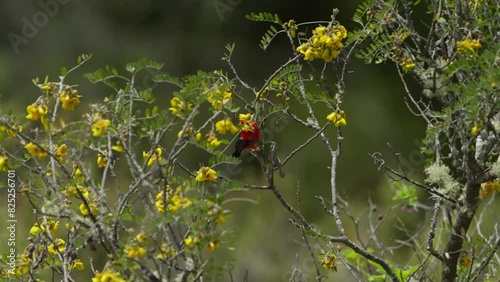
325 43
